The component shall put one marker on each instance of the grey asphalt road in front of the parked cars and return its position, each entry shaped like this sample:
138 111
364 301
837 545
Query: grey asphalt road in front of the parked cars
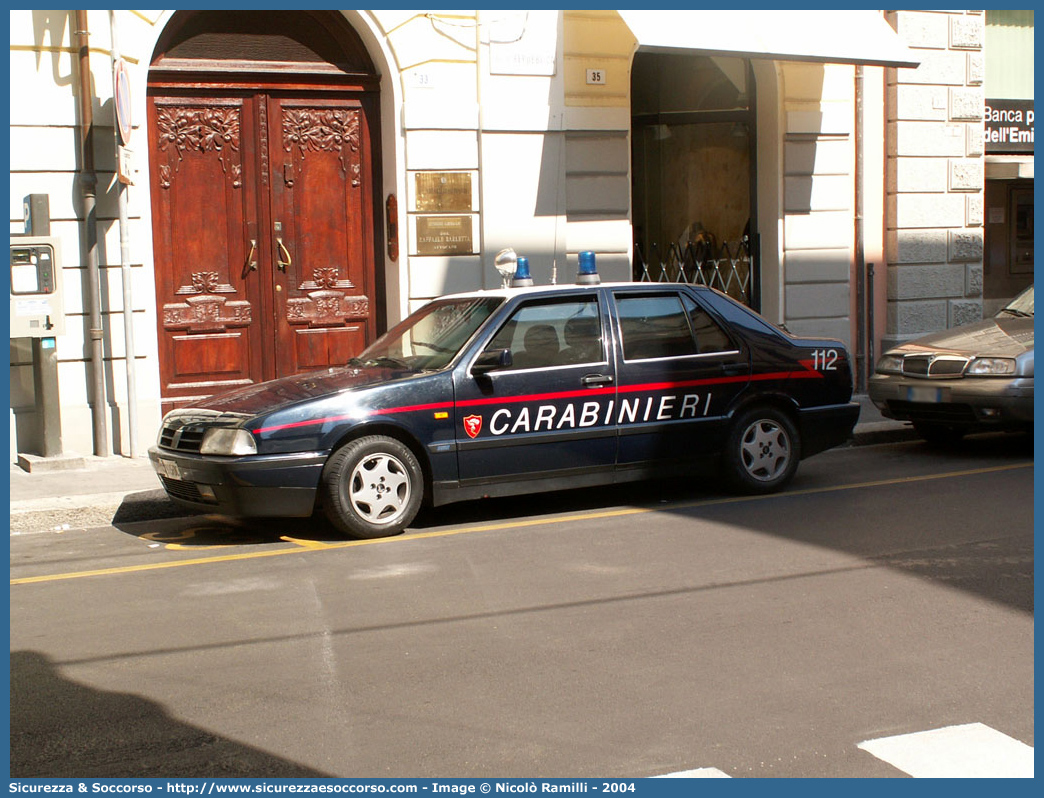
642 631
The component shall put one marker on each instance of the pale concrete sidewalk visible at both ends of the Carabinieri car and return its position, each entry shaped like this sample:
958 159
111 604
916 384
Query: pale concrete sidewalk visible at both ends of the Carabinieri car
97 491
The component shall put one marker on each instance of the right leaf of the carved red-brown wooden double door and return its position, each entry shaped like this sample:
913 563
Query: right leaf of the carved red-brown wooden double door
322 231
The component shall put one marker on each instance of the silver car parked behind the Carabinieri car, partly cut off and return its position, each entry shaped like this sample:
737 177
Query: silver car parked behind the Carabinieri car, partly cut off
967 380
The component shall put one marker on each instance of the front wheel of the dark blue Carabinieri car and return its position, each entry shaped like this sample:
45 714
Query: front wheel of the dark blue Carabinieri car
372 487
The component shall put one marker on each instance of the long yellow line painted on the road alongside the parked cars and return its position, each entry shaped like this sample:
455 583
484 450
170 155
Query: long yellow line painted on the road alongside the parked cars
301 547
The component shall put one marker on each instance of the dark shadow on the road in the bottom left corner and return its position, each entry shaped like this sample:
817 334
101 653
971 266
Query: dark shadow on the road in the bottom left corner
106 735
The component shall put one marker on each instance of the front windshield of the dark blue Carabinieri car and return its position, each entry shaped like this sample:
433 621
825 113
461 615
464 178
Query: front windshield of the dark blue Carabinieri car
432 338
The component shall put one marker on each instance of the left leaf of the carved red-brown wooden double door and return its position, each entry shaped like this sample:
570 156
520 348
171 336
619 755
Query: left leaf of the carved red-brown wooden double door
204 207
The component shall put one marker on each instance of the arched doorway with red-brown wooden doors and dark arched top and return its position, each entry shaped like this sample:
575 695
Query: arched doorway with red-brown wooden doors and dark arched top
265 163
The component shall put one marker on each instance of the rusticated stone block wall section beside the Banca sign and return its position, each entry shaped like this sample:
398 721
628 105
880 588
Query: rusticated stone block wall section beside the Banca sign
936 176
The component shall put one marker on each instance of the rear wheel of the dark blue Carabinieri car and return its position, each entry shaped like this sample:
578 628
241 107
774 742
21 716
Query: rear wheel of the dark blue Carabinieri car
763 451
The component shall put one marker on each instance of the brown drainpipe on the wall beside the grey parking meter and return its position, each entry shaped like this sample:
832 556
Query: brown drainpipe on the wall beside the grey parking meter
89 180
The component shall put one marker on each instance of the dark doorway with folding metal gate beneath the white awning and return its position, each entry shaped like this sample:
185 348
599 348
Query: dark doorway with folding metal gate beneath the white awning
694 172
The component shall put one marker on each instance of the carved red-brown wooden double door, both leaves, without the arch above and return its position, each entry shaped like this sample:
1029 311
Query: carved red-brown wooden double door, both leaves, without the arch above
265 234
